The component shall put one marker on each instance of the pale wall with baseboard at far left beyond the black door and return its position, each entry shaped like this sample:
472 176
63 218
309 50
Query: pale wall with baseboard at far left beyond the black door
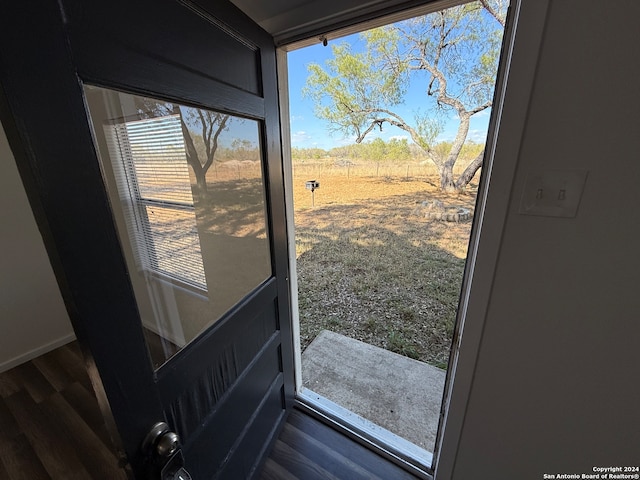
33 319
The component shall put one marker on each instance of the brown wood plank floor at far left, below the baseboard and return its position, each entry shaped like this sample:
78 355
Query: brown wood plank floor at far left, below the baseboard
50 423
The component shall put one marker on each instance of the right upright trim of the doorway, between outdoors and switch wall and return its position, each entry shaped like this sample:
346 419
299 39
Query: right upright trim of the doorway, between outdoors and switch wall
513 93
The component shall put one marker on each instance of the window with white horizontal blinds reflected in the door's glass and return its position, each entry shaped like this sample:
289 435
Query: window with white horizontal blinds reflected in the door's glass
153 181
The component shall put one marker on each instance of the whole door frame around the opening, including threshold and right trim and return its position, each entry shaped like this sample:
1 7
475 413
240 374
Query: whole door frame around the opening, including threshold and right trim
514 85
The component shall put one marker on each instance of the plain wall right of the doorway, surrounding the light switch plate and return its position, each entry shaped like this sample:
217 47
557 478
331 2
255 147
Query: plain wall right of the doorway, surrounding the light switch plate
557 383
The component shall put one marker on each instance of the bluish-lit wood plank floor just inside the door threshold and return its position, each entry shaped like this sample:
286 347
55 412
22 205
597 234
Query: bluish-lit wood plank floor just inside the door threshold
307 449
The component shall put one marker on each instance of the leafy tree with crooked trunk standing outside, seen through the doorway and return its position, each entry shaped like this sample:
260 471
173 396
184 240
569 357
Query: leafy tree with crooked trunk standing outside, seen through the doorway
454 53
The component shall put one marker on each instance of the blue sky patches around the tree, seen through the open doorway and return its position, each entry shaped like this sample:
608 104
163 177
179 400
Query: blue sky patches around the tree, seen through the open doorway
308 131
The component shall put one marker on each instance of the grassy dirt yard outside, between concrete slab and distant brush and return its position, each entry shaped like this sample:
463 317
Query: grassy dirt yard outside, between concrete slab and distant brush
372 265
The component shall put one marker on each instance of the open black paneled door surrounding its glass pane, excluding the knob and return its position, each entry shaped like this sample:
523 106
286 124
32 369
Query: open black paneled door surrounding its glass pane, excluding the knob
227 390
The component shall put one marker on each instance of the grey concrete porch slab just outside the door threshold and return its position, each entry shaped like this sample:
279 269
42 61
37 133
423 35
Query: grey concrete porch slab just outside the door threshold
398 393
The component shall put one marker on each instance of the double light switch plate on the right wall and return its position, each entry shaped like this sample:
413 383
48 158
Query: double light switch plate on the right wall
553 193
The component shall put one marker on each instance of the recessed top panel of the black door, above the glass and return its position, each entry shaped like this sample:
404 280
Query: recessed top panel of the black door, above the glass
207 38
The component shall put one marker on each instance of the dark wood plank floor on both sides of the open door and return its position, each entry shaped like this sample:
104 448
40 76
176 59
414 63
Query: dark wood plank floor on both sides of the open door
51 428
